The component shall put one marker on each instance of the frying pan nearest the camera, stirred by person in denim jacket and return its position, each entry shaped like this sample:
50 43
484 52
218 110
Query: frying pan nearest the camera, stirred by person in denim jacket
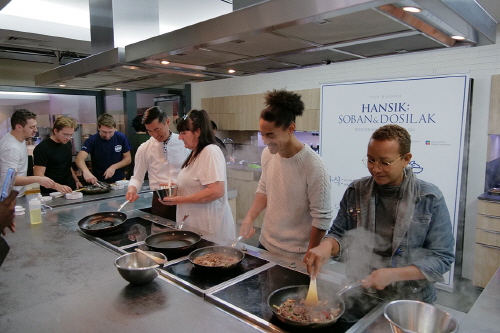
298 293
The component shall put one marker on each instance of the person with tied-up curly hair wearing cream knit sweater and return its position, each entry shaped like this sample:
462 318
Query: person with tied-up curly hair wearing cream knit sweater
294 185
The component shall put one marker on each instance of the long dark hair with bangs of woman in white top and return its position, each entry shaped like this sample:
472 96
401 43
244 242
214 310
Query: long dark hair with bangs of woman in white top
197 119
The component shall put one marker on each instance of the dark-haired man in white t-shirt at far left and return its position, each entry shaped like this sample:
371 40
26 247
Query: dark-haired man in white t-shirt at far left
14 153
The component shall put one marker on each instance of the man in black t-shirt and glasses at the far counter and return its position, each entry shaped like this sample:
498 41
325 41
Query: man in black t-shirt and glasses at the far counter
53 157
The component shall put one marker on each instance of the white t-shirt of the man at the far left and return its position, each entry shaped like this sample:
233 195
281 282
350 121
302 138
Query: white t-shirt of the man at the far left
13 154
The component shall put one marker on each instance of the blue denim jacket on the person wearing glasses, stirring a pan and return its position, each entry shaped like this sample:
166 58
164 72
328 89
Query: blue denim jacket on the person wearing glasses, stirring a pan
425 240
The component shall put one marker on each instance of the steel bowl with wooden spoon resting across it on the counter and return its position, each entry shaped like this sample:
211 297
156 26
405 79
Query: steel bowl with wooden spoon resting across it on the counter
137 268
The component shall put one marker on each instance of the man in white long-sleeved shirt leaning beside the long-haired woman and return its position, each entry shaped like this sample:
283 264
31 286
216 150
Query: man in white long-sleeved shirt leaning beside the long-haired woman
161 156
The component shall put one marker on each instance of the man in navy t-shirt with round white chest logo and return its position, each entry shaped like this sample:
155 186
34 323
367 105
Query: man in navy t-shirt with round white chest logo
109 151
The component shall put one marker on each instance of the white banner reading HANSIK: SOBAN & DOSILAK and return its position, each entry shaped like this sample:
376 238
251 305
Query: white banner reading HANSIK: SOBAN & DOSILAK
432 109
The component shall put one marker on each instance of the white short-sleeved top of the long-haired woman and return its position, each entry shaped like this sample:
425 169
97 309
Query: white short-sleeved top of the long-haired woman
215 216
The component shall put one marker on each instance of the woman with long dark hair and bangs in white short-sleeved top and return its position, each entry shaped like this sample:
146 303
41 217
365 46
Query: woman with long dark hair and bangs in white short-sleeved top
202 181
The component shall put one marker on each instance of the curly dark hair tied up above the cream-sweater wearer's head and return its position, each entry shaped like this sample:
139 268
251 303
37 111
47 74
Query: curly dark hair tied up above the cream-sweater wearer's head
282 107
